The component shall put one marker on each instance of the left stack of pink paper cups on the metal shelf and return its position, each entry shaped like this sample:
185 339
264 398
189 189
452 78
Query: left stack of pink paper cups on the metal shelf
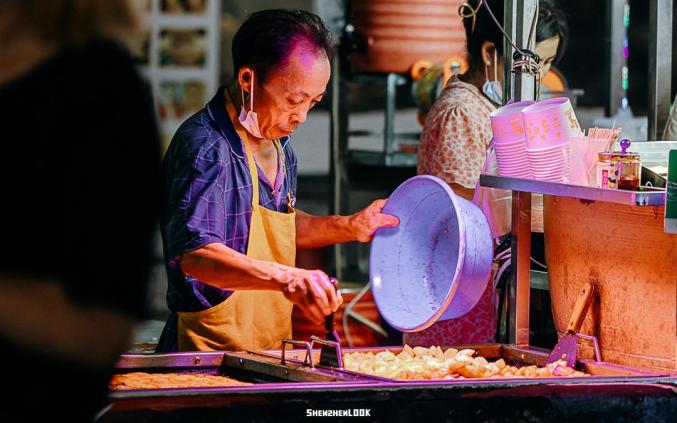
510 140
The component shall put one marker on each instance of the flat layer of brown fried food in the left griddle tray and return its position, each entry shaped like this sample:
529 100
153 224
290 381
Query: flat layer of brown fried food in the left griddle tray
140 380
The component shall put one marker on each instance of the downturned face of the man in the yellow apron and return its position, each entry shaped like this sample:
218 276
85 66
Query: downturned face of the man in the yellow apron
290 91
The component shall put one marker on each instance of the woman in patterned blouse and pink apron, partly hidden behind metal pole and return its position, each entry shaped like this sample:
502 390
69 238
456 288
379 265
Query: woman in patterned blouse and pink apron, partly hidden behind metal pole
456 138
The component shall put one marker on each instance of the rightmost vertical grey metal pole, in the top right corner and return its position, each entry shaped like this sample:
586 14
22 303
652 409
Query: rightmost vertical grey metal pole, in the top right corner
660 65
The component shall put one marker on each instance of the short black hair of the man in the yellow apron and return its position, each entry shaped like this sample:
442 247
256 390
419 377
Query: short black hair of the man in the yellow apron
267 38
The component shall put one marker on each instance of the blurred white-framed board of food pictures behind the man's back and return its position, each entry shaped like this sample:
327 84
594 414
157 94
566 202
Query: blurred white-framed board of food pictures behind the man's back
180 58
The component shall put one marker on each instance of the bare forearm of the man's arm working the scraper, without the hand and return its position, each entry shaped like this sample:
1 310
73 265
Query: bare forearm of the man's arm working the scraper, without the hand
218 265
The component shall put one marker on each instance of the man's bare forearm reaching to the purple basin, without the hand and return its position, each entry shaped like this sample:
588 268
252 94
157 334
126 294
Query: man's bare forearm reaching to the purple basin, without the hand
320 231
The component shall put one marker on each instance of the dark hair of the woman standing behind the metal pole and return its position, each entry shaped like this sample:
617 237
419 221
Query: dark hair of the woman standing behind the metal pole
551 22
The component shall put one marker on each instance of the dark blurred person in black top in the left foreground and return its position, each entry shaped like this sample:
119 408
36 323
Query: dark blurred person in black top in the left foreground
79 176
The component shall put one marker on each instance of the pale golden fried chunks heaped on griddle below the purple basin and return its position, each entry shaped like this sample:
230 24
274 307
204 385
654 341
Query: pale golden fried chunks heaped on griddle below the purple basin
432 363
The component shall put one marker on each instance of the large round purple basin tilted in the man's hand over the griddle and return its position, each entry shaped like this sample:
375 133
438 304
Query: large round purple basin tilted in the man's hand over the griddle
435 265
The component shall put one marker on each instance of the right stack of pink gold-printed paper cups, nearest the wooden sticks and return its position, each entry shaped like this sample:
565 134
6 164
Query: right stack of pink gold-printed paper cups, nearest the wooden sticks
549 125
